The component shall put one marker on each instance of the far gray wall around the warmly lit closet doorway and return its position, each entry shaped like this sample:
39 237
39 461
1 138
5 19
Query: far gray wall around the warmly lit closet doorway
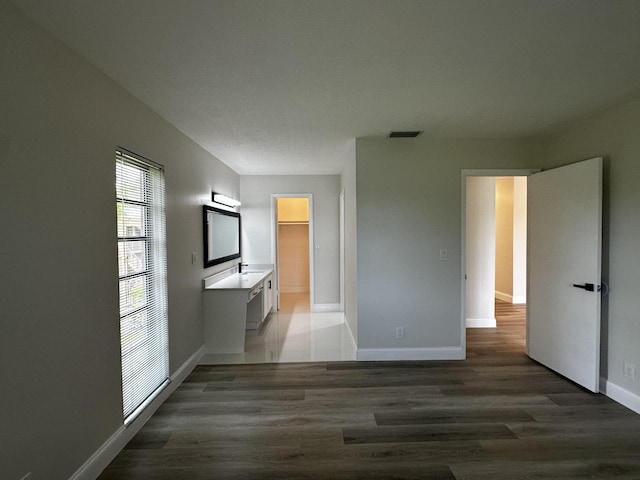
255 194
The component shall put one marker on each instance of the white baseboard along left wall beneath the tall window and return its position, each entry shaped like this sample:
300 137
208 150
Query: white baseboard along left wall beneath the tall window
101 458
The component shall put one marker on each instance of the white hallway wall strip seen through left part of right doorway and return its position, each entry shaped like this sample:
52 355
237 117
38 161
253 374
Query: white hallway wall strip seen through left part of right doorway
481 251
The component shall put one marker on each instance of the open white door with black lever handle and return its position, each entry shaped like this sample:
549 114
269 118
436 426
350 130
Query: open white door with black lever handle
565 235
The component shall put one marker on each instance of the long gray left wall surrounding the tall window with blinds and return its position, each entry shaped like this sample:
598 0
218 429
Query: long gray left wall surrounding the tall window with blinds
60 123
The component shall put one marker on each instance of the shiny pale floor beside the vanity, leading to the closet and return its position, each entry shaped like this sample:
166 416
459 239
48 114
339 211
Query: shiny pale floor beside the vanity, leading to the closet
294 334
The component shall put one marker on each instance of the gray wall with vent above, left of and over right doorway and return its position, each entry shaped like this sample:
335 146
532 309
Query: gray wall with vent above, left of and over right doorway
408 204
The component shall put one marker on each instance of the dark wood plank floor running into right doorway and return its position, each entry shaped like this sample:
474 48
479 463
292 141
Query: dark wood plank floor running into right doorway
497 415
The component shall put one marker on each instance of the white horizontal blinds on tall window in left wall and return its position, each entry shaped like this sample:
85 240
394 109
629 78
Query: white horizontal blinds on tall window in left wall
142 281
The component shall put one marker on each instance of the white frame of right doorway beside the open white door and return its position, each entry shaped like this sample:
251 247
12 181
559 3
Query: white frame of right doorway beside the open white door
499 172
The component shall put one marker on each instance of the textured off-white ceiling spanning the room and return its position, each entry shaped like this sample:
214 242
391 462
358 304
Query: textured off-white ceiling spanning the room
284 87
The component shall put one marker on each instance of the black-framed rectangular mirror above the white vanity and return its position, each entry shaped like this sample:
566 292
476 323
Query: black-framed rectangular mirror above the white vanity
221 235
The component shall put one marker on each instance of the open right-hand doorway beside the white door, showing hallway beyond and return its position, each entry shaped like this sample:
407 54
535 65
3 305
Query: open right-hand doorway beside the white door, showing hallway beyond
494 248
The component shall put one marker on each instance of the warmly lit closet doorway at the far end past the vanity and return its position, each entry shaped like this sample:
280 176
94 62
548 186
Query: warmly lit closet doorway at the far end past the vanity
293 242
